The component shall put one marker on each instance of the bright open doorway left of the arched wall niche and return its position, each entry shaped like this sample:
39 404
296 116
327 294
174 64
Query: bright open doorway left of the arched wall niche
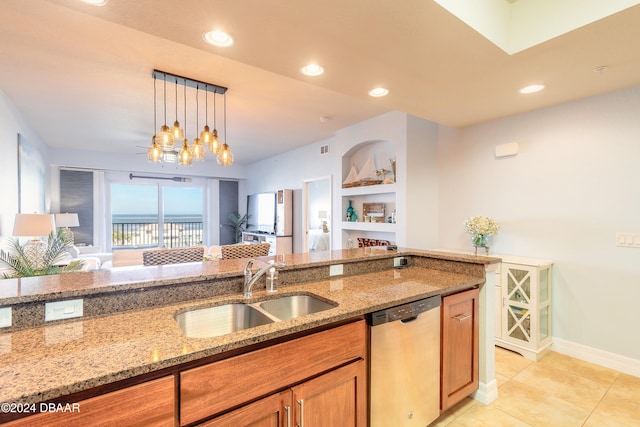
317 223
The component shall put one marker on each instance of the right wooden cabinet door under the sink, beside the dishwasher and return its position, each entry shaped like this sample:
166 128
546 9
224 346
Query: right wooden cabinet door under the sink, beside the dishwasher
335 399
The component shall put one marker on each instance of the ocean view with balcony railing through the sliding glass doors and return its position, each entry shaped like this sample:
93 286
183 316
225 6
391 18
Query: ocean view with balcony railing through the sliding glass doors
146 216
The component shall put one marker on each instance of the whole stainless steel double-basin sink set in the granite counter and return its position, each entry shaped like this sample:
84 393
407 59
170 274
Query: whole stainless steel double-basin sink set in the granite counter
228 318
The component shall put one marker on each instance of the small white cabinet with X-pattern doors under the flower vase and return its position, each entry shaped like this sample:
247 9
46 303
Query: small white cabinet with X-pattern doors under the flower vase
525 306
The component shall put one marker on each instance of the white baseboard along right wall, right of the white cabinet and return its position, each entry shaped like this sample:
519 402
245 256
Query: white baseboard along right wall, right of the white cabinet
620 363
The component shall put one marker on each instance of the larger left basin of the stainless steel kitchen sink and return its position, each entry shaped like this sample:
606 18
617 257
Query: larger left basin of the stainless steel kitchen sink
220 320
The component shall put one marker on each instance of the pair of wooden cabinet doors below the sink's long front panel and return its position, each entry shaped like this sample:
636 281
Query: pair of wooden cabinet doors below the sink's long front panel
337 398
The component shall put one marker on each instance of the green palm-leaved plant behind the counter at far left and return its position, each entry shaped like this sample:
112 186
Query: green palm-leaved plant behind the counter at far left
16 263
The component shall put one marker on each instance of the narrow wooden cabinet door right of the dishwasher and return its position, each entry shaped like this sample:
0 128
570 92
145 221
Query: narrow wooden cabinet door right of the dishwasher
459 359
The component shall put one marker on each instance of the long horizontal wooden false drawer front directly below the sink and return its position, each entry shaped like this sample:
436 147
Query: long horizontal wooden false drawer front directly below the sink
213 388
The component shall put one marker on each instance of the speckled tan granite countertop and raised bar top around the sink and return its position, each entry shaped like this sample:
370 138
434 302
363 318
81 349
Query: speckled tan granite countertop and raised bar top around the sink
47 362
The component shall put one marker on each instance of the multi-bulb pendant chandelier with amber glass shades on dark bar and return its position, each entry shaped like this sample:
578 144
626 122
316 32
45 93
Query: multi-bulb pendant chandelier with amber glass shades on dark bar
163 147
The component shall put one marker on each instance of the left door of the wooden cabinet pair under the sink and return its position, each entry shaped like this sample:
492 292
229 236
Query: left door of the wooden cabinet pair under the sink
272 411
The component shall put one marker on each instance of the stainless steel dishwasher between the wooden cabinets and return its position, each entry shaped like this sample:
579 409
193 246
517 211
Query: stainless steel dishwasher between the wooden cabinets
405 364
